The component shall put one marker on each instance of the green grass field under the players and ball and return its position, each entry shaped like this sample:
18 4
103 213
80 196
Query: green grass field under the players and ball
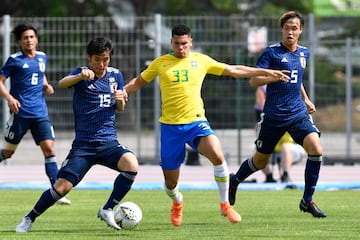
266 215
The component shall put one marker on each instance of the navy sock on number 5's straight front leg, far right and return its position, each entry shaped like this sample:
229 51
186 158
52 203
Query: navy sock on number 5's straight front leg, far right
312 170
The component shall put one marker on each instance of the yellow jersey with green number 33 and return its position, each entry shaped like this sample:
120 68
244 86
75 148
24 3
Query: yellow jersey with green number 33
180 85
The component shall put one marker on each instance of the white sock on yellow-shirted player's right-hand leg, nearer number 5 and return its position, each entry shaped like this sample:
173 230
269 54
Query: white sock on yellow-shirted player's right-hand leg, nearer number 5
221 174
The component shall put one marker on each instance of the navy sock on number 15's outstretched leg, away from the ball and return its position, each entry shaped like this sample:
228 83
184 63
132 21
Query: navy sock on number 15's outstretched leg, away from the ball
47 199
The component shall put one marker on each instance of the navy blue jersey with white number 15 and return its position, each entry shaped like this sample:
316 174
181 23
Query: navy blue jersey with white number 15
94 106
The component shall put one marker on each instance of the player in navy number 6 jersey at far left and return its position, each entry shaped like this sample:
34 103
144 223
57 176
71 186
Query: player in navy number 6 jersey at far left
26 101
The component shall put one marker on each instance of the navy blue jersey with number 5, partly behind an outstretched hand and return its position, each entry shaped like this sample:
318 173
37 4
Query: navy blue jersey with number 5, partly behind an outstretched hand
283 100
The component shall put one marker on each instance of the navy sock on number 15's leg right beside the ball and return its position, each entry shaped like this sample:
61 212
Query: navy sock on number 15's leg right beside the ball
122 185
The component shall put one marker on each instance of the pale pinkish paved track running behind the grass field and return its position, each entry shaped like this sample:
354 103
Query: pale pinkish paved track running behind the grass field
152 173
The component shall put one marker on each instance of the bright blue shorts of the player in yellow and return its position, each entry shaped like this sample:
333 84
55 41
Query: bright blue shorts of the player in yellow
174 139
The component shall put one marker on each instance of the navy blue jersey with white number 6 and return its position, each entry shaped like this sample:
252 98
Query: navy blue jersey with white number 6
26 83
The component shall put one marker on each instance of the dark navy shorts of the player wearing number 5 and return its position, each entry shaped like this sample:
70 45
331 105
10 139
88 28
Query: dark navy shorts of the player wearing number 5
270 131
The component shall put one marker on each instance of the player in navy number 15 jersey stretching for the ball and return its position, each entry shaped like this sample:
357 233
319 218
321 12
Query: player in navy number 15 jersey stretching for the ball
98 94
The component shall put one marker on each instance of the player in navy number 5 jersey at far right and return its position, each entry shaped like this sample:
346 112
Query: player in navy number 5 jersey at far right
287 108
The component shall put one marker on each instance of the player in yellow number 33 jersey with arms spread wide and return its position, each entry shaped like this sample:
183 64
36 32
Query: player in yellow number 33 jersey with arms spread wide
183 118
